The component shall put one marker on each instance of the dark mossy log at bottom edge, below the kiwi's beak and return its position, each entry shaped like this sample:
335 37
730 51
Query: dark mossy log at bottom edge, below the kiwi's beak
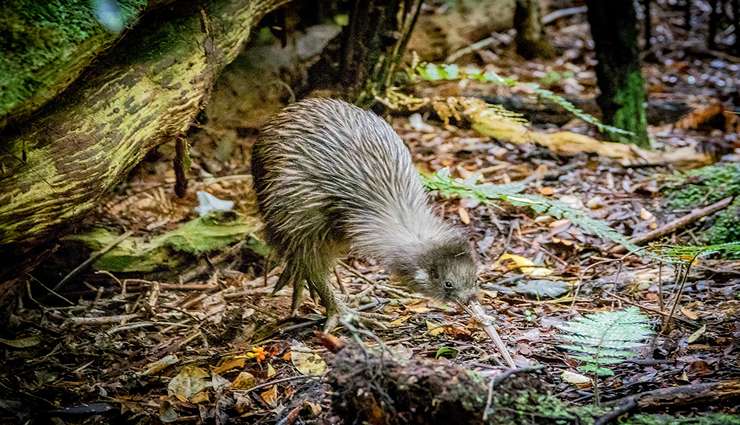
370 387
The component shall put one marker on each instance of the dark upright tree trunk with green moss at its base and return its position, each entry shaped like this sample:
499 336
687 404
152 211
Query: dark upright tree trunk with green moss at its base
622 99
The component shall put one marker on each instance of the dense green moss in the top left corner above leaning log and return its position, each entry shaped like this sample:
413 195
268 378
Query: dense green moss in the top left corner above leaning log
44 45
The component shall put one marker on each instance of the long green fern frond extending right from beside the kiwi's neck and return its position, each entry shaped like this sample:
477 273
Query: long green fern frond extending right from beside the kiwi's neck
510 193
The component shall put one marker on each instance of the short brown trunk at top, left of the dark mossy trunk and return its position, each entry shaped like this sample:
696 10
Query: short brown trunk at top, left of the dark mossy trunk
531 41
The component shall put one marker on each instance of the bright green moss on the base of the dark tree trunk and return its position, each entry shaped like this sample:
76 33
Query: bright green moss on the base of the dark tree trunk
631 115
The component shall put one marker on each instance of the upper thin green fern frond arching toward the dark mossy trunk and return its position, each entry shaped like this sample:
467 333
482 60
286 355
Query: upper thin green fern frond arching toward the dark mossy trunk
447 72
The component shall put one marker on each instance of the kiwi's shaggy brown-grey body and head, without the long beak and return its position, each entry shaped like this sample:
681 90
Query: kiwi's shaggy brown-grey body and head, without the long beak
331 177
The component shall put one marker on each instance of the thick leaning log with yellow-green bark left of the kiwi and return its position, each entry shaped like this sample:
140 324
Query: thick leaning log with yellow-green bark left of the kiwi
143 92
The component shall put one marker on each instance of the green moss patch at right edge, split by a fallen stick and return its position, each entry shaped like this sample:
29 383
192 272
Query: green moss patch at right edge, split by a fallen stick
705 186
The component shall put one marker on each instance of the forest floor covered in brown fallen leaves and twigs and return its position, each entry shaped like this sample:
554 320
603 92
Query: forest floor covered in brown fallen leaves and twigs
208 340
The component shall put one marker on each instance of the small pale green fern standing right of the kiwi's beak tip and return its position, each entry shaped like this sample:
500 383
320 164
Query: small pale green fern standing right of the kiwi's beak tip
602 339
